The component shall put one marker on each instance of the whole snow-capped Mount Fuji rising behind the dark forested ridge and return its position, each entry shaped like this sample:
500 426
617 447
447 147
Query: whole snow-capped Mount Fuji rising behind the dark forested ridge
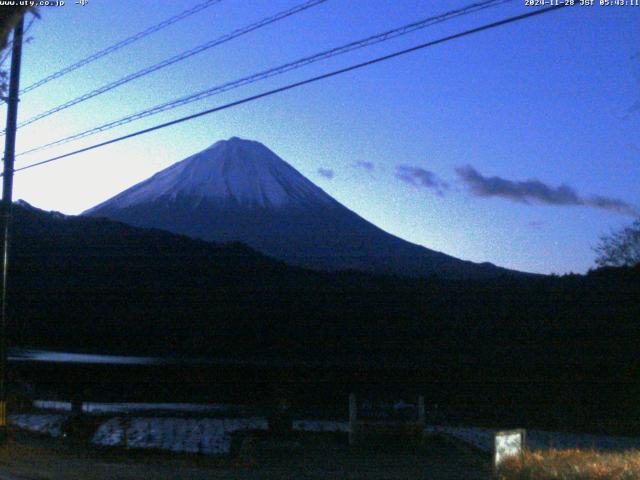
240 191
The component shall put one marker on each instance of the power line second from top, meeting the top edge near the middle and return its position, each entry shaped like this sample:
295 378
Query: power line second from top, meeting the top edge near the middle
176 58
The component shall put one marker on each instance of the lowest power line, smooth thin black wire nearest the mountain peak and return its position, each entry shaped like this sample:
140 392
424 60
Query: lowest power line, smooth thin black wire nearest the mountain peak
299 84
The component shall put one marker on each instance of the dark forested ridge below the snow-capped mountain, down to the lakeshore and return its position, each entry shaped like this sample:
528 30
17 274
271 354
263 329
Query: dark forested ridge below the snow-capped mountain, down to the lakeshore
96 285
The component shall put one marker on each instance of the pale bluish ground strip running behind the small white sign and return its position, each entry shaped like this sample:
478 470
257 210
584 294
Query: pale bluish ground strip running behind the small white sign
482 438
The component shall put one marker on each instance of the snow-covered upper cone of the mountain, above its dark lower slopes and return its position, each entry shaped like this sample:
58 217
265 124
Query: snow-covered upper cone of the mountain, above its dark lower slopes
234 171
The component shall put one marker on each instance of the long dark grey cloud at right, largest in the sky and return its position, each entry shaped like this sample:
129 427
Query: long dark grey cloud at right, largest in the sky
535 191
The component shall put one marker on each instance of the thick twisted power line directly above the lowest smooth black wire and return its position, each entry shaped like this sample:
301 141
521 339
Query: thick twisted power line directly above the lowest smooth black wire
355 45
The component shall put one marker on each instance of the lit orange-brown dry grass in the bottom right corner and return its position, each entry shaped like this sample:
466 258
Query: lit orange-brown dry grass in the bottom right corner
571 465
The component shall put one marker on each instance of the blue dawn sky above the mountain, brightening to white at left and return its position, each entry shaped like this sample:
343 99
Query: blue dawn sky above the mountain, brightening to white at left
517 146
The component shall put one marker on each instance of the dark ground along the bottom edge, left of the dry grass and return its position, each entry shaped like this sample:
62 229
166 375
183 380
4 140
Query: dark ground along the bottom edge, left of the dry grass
314 457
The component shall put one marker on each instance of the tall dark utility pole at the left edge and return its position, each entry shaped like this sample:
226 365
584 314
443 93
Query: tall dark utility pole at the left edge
7 203
